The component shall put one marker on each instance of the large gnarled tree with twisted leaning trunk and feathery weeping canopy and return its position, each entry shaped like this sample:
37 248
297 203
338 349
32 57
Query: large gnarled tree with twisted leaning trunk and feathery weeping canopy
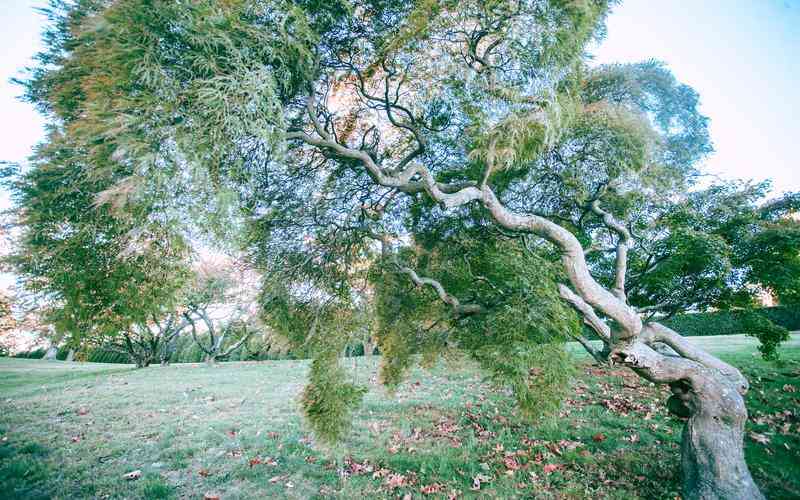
469 138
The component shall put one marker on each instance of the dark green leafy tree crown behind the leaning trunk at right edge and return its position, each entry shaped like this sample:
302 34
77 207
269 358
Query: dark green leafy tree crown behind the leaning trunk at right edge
717 248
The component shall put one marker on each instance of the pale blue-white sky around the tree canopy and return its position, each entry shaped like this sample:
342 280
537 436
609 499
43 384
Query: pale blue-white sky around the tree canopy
742 56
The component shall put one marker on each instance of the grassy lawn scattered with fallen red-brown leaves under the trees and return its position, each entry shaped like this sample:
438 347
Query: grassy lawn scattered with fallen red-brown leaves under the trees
70 430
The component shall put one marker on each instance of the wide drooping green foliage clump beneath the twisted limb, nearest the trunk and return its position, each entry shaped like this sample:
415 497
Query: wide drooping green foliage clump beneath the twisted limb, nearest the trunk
519 337
